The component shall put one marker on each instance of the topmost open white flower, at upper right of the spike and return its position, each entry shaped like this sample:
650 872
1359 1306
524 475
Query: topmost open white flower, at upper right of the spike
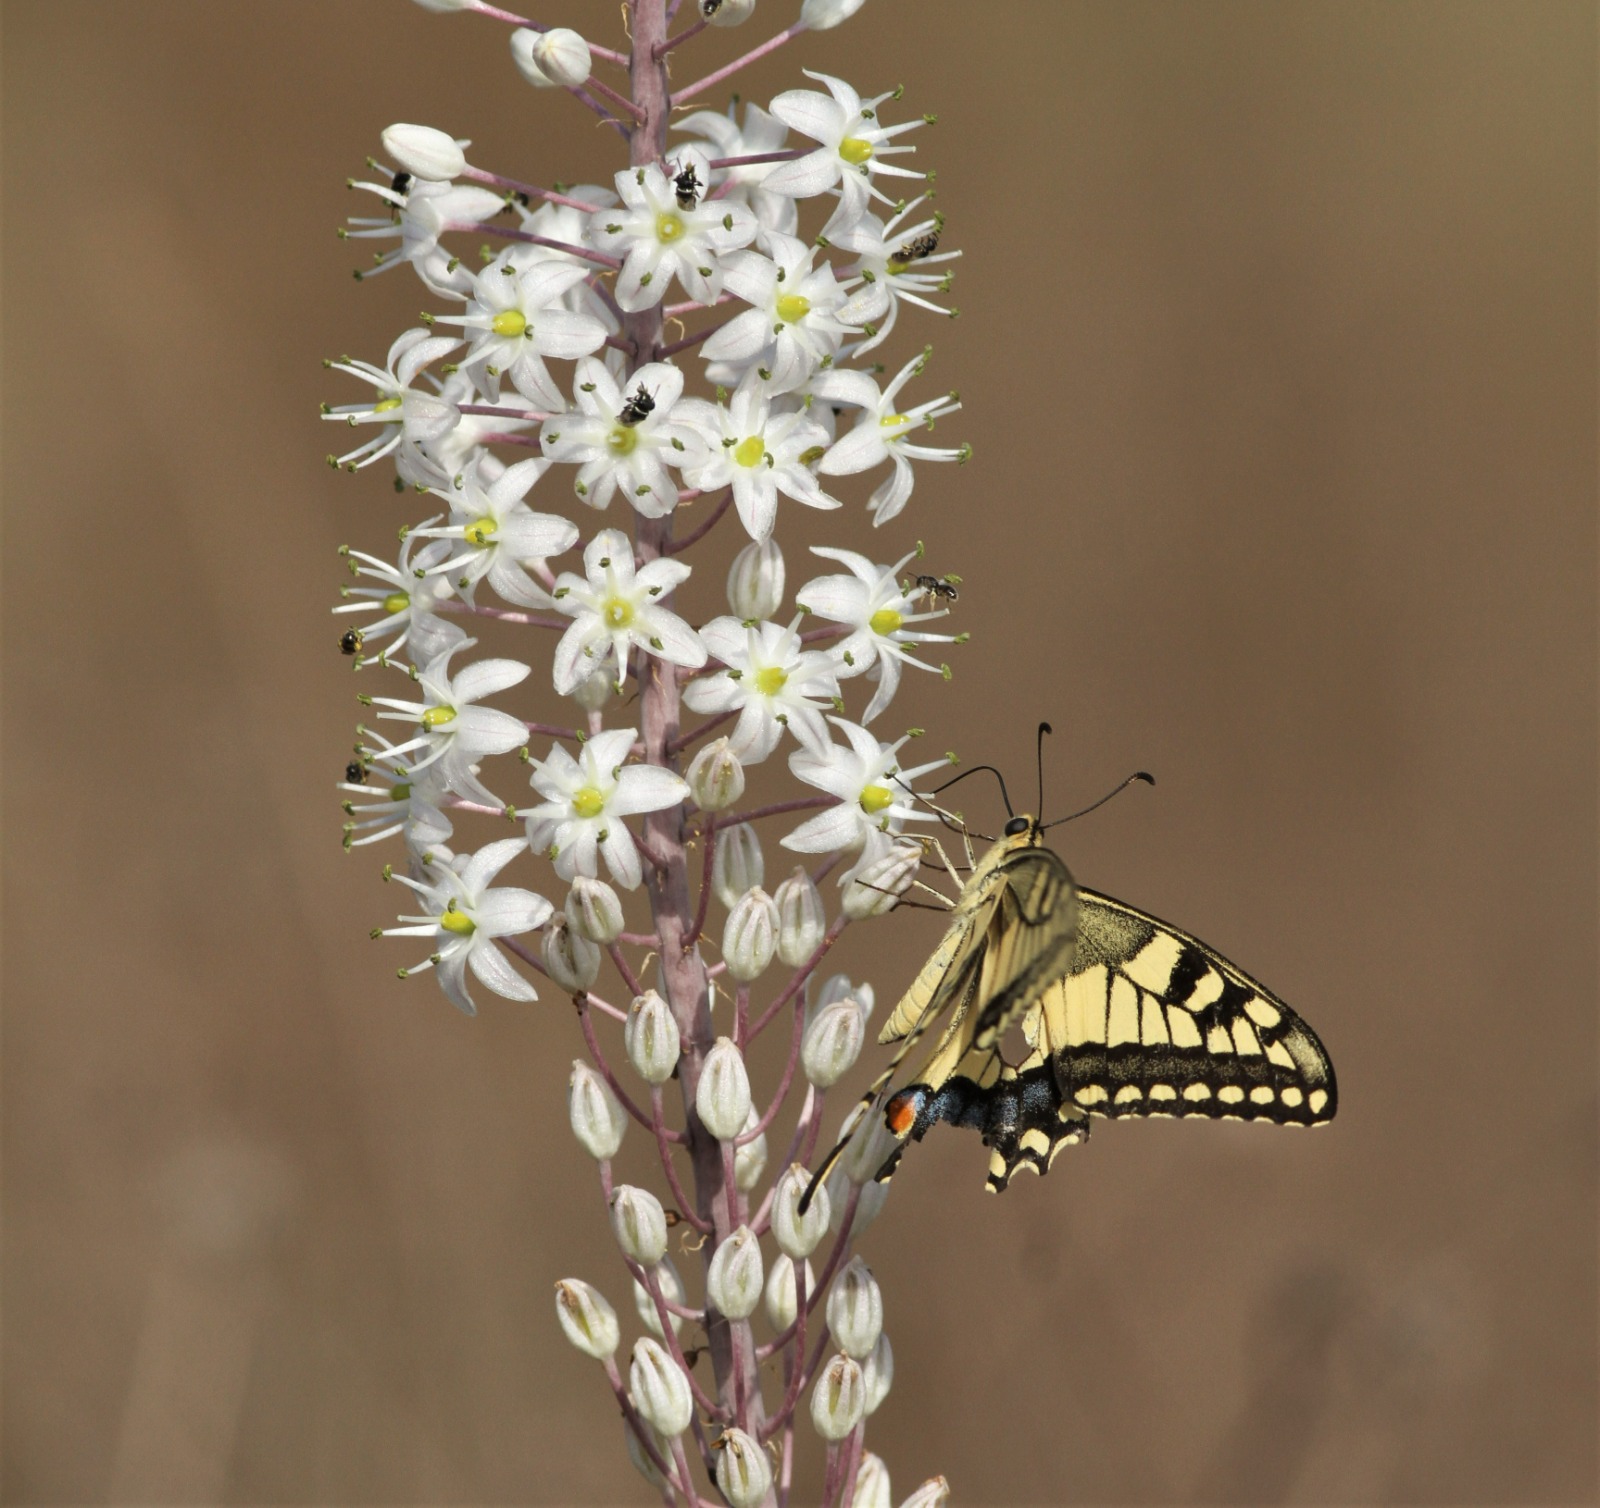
852 148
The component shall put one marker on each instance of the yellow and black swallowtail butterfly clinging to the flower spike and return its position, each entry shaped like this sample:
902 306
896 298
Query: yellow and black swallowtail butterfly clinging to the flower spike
1122 1016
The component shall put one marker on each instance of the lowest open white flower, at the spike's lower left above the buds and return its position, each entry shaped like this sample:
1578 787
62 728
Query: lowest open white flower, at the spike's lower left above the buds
465 916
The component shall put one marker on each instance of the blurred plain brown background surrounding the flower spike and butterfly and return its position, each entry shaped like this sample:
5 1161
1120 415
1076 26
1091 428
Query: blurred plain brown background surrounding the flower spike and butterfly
1278 347
